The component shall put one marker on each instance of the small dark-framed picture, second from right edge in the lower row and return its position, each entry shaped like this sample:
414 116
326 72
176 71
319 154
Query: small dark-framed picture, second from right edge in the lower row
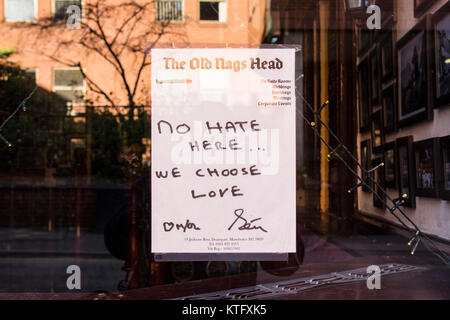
427 160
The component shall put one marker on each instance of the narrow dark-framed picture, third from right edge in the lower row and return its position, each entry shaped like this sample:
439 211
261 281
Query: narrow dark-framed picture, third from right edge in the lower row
405 170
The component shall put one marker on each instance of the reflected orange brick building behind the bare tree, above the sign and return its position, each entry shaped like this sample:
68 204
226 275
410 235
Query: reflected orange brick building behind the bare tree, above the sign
190 22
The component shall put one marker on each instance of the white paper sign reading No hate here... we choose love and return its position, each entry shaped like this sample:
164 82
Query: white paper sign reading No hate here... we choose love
223 151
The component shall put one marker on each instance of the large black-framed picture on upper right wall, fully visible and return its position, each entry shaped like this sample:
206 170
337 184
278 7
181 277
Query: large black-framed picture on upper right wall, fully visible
415 102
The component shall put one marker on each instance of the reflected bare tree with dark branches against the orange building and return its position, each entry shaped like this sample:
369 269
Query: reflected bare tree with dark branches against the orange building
117 33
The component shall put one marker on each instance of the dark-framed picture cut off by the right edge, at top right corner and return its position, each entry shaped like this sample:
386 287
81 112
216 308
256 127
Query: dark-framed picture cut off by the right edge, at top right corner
441 31
